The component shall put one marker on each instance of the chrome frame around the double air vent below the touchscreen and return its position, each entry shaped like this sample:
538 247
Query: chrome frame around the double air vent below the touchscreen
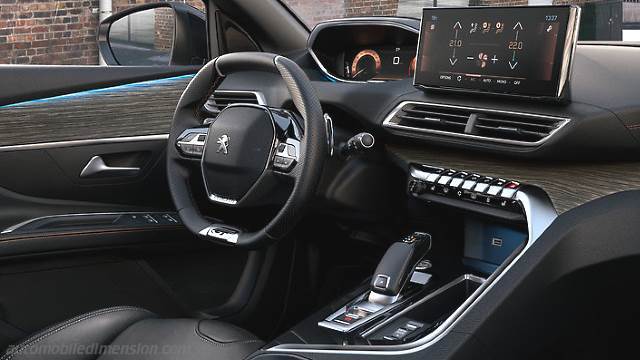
408 130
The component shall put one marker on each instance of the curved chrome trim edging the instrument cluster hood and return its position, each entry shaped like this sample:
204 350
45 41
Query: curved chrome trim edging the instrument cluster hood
351 22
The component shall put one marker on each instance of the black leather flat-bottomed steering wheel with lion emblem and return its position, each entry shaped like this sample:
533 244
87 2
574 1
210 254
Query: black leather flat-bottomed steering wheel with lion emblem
248 150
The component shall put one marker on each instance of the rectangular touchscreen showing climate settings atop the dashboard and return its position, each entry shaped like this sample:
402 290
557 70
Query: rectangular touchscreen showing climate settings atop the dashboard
510 50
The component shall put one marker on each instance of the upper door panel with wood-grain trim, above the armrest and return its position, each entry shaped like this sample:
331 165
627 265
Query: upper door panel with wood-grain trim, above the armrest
45 143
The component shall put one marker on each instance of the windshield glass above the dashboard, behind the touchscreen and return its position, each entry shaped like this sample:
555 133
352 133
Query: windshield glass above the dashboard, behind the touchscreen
601 20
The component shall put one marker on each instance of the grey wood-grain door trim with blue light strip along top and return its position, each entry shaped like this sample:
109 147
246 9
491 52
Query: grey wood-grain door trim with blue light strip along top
132 110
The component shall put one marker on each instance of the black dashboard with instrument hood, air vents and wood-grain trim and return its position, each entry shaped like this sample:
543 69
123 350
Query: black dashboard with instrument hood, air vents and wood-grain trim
576 150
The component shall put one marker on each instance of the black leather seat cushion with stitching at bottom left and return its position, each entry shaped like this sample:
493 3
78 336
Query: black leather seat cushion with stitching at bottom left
135 333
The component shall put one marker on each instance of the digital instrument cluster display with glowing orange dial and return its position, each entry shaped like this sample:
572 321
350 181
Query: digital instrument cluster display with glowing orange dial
380 63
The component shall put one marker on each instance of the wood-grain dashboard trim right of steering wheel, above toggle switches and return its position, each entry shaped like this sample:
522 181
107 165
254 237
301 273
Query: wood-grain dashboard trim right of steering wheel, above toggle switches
568 184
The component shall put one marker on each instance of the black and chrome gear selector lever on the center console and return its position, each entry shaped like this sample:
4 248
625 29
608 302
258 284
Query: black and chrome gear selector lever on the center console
396 267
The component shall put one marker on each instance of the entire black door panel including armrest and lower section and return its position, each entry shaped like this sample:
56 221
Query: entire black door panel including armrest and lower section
53 121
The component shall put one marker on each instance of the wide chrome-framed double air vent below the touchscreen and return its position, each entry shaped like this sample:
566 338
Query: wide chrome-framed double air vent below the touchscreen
411 118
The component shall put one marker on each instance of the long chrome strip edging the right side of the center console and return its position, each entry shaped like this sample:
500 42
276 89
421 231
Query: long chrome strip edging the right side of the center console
539 213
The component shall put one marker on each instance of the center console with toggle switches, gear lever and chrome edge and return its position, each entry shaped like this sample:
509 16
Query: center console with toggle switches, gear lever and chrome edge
427 280
